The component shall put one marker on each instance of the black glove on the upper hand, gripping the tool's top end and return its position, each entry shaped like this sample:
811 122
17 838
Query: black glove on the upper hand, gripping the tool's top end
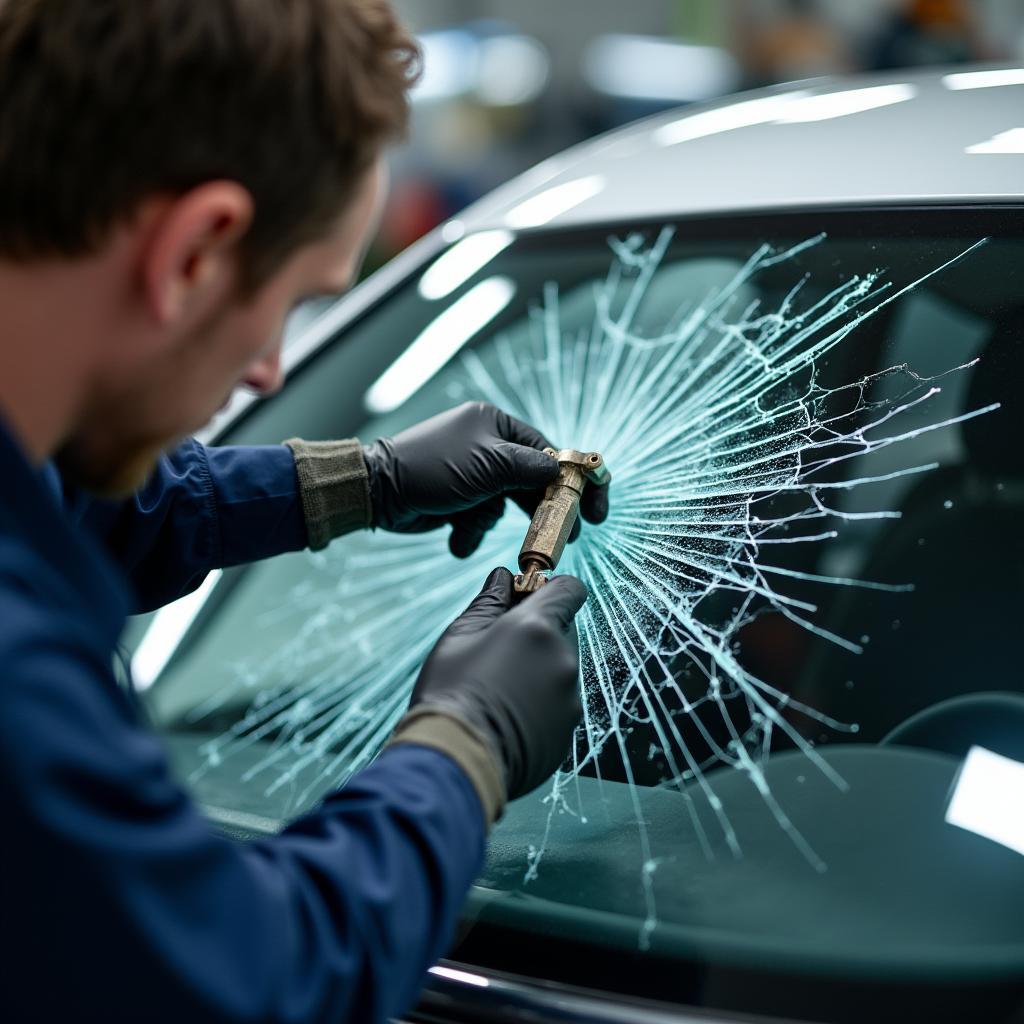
457 468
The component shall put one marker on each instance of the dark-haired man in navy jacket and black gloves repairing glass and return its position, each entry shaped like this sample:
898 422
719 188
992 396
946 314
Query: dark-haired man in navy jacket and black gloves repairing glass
176 176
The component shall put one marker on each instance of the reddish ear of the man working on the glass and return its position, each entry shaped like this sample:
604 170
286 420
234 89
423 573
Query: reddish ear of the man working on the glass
191 260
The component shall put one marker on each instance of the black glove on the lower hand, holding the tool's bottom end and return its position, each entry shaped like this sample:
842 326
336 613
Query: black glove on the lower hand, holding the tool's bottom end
514 675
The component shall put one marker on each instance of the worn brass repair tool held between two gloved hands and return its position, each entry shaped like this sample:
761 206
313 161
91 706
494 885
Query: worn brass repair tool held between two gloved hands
556 517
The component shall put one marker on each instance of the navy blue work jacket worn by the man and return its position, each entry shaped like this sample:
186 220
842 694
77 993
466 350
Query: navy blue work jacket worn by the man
119 903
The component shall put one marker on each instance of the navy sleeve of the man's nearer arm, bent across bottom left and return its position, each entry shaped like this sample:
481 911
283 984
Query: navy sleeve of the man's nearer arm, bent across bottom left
124 903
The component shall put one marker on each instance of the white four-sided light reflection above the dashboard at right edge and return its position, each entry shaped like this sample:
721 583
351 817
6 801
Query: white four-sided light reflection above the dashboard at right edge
989 798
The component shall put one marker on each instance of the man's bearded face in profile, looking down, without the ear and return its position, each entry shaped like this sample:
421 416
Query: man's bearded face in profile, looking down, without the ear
145 407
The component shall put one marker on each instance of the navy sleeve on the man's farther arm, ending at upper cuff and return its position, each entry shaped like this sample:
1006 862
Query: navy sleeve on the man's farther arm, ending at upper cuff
203 508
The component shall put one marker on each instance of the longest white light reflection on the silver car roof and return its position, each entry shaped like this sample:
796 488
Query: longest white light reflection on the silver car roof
791 108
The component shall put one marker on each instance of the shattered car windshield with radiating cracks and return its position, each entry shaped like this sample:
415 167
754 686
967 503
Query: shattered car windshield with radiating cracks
799 656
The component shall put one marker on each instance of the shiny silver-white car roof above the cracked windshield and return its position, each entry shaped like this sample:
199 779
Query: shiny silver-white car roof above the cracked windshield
952 136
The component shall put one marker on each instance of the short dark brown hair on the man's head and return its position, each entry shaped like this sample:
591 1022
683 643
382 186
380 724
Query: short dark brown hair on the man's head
106 103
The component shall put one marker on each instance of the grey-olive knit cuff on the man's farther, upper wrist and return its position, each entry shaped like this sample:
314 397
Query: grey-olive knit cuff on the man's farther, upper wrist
335 488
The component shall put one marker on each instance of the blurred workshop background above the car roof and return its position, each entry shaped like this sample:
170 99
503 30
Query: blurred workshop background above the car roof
509 82
